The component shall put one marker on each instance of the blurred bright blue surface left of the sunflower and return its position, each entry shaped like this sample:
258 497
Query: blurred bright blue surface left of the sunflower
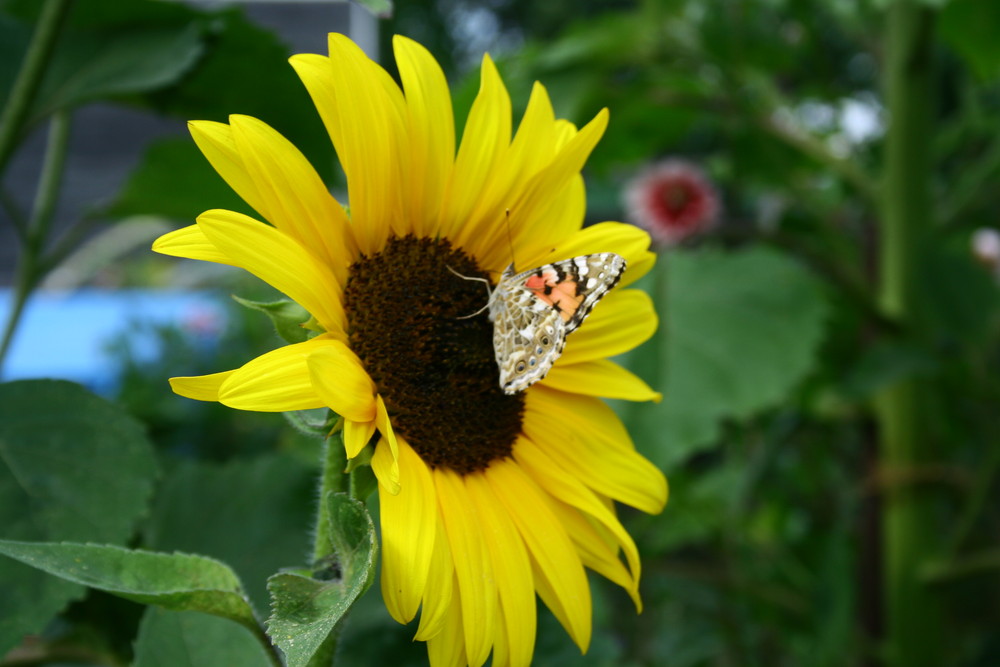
69 335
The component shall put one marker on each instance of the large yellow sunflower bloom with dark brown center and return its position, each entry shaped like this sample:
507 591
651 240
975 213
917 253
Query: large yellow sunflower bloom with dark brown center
485 498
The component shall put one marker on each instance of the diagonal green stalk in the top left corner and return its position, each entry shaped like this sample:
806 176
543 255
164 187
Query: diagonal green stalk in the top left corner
25 86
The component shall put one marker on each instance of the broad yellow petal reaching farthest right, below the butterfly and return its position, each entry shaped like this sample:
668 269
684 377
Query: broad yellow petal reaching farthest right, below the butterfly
586 439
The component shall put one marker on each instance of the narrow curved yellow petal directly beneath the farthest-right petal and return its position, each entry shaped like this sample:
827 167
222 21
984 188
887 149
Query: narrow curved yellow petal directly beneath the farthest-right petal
567 488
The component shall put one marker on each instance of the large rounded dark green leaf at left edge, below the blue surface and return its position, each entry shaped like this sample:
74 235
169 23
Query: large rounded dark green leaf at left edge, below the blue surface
72 467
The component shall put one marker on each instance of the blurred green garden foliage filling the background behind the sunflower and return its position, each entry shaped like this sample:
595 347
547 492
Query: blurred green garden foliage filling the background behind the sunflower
776 345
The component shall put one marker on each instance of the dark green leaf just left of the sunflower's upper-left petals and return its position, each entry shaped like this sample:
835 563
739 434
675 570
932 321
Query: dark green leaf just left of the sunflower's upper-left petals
175 181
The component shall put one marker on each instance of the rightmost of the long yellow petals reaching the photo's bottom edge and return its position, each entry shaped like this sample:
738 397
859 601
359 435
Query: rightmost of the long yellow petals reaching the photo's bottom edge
473 565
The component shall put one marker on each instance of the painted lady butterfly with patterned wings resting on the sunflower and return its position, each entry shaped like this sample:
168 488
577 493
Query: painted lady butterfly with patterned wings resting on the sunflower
533 312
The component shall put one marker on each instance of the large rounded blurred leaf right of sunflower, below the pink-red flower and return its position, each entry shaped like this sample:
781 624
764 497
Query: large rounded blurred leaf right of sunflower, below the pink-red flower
740 330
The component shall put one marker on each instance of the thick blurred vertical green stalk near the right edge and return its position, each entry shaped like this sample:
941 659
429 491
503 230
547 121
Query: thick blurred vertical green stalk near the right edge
913 629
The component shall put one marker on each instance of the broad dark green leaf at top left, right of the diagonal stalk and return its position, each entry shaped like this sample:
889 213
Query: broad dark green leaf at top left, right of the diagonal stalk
91 65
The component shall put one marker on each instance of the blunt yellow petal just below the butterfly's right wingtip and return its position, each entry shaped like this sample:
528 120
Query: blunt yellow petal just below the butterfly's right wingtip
624 319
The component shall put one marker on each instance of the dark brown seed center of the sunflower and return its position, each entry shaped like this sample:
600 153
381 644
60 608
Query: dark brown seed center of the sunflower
409 321
